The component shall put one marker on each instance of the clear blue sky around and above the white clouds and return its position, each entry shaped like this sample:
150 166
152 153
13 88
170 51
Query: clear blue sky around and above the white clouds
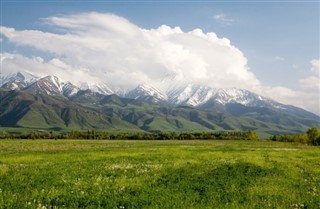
278 38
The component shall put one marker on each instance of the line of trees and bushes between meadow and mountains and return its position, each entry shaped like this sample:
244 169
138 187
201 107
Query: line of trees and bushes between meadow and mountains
311 137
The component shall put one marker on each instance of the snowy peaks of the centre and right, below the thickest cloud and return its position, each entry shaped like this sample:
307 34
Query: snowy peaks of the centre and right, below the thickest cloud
197 95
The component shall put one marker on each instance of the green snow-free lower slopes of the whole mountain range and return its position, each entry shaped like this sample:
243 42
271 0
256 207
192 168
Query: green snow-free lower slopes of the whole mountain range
24 109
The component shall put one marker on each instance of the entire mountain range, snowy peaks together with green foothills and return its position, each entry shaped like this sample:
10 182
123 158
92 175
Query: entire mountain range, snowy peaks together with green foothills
51 103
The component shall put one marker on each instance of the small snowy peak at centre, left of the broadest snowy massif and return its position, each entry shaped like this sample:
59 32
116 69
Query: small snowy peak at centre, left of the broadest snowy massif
147 93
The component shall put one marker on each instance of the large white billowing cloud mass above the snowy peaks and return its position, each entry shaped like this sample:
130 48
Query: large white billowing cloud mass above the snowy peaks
105 48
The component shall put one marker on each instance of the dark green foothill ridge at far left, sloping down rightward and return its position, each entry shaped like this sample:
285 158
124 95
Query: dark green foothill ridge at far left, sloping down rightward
22 109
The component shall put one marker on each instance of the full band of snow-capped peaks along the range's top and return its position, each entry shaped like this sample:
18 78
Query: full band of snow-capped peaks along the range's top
171 92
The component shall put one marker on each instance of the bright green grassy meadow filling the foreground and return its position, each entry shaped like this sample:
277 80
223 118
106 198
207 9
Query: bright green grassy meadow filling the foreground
158 174
